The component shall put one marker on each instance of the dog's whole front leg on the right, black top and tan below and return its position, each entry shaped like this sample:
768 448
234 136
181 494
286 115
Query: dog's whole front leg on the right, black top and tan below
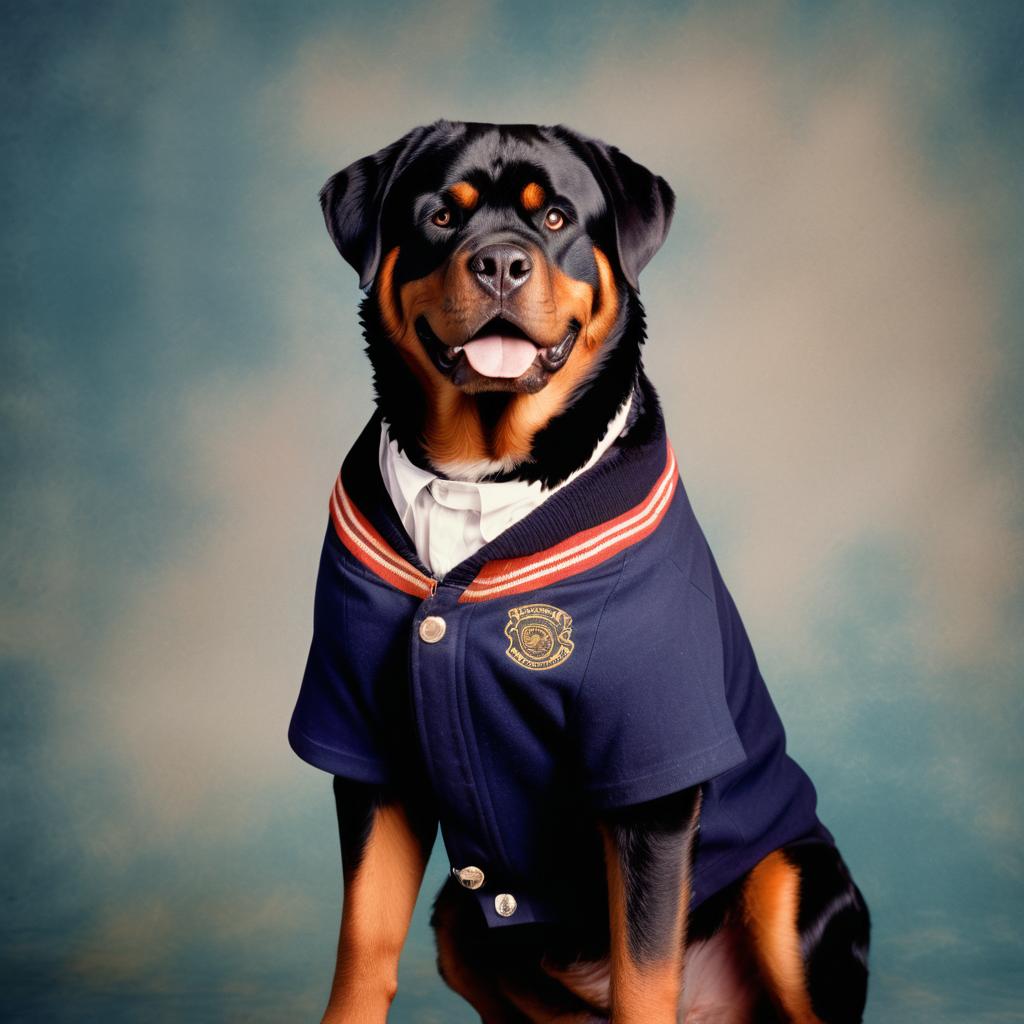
649 848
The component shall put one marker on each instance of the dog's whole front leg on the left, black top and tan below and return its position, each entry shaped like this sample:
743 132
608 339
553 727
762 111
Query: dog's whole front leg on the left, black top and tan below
387 838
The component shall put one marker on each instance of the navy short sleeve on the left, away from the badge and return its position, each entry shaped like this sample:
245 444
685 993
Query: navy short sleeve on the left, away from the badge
344 711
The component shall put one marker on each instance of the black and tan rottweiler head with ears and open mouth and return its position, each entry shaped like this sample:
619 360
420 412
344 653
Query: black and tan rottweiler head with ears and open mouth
499 259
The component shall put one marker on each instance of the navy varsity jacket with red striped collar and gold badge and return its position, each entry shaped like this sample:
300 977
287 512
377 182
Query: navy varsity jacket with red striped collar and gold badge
587 659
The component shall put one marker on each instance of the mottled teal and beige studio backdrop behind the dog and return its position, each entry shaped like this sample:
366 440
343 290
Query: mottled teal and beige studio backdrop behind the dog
837 333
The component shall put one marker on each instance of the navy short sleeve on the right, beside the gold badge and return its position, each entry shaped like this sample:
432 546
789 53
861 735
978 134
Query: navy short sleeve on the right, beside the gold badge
652 713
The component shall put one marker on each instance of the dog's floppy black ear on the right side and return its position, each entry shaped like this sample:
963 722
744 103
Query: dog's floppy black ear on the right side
642 203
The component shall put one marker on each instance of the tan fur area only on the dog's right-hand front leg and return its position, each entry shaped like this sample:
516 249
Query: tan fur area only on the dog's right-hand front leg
641 995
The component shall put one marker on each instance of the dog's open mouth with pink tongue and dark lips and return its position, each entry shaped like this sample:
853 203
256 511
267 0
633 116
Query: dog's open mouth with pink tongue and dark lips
499 351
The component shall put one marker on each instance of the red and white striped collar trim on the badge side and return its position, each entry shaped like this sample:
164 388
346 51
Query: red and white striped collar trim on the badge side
583 550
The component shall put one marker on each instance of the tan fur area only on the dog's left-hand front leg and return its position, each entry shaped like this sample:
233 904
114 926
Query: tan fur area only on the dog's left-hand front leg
378 906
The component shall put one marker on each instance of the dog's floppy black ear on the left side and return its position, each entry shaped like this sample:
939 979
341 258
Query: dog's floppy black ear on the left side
353 202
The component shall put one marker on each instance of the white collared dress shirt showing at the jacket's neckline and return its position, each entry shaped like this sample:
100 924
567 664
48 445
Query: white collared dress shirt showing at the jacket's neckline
448 521
